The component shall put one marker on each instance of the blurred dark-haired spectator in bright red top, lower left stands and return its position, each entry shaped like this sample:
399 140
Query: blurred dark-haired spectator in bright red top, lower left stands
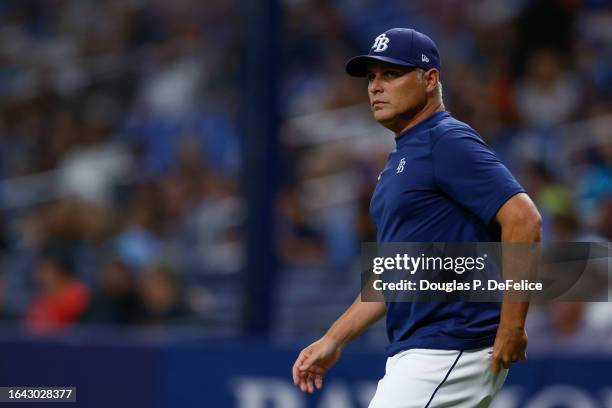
61 299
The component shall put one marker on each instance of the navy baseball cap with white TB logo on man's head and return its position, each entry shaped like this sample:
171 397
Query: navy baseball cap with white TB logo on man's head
400 46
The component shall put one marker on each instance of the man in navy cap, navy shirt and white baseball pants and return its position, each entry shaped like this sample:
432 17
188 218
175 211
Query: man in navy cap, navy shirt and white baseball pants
454 189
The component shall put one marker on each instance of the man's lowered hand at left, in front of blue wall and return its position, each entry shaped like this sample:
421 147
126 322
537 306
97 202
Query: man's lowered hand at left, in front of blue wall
313 362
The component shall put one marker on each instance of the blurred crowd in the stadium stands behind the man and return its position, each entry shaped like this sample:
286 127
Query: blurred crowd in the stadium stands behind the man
120 149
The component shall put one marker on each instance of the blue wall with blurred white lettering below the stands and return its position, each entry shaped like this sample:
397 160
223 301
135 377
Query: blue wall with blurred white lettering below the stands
253 374
